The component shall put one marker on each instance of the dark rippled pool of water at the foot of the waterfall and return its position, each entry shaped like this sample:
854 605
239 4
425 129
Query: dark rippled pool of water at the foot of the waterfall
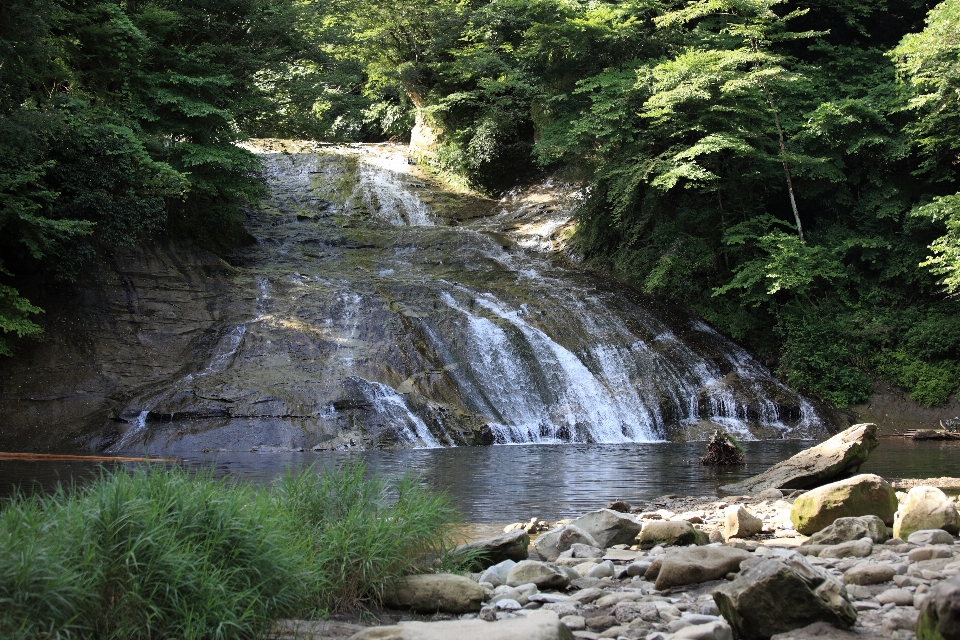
511 483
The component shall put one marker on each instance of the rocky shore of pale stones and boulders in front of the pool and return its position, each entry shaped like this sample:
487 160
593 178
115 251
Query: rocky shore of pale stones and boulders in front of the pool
853 558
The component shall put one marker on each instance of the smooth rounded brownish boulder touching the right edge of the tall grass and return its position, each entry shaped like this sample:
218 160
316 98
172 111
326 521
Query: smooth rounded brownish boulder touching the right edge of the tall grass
435 592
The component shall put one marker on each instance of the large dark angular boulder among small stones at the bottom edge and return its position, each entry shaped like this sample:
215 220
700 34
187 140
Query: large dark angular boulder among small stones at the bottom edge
777 594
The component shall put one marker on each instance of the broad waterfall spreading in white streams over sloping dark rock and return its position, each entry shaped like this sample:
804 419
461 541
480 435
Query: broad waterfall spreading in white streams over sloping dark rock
379 309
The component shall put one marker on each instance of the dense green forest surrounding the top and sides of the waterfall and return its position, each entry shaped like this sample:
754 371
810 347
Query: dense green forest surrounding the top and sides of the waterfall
786 170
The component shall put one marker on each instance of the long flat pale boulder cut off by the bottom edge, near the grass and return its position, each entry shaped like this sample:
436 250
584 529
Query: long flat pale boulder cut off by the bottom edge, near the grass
542 626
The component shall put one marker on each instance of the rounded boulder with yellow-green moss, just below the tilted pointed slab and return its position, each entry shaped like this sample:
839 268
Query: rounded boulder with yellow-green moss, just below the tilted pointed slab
861 495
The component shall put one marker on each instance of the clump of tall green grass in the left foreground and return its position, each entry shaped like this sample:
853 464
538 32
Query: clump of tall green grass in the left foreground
161 553
